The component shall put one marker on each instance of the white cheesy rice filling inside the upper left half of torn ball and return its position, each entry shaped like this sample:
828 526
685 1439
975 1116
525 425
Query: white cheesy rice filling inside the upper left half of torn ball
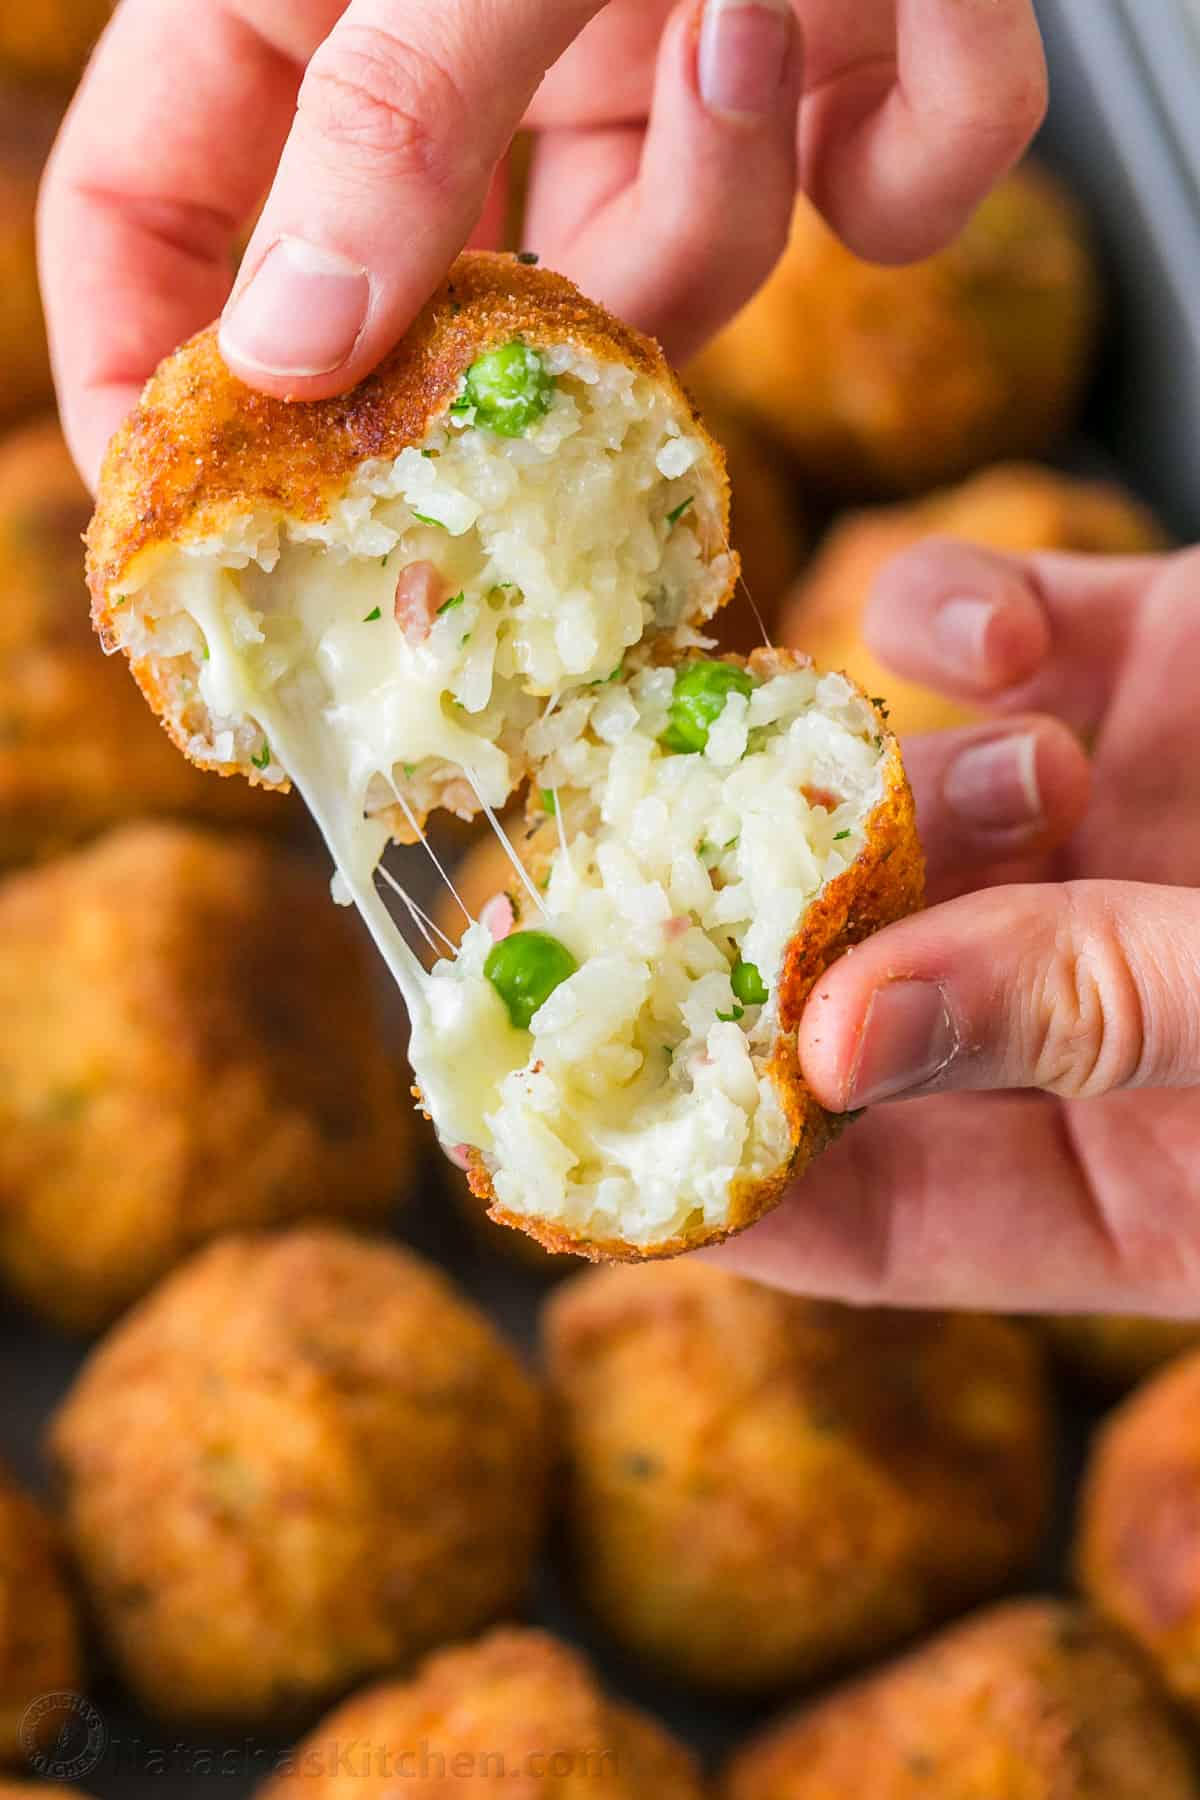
551 557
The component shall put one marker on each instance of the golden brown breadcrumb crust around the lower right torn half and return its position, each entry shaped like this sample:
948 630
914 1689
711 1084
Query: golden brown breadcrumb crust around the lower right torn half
884 885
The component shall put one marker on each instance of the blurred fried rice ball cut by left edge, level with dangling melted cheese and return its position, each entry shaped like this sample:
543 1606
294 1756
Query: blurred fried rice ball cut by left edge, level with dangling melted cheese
190 1041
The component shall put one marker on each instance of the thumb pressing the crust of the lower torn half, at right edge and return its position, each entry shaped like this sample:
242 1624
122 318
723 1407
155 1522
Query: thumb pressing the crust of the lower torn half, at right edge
1075 989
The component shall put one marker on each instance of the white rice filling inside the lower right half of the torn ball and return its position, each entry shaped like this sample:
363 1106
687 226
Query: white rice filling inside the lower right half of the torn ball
641 1093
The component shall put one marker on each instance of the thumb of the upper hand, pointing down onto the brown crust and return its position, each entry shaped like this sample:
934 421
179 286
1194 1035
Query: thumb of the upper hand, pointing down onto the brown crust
404 114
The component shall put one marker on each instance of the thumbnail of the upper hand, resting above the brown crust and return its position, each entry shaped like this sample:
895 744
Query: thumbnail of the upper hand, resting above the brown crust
300 314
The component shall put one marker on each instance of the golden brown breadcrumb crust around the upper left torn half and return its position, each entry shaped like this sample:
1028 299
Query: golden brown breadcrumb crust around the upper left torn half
204 447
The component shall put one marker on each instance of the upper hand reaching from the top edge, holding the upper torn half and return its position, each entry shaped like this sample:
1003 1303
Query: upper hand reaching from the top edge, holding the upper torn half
663 183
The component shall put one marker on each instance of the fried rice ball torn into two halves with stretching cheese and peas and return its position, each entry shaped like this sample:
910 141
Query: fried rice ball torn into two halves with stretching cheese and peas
485 571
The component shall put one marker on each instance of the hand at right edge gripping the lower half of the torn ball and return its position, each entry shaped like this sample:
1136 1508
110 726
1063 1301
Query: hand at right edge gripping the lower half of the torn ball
1077 1182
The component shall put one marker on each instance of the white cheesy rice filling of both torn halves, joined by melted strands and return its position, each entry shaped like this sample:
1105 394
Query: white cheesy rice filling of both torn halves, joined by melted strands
640 1095
